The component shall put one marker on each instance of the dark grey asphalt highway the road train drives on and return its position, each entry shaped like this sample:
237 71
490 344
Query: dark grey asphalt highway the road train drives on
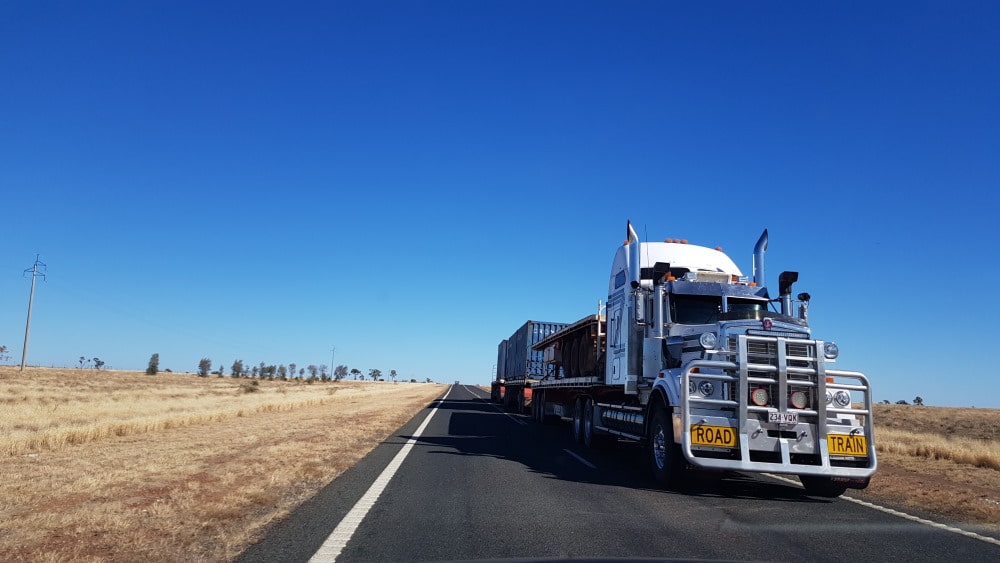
482 484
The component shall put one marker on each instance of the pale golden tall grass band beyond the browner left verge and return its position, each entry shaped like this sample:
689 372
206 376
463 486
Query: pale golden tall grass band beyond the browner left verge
49 409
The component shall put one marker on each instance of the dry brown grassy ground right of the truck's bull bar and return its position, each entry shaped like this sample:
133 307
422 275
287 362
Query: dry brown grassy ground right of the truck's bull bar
940 461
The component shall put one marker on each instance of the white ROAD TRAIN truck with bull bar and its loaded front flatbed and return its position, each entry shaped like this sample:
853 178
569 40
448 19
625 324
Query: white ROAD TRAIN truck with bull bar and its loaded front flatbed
698 363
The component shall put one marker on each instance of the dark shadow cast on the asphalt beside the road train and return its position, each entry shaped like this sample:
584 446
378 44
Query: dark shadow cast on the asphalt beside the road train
478 428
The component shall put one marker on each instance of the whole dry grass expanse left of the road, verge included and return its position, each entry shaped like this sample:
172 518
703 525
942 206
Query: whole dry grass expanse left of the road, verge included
122 466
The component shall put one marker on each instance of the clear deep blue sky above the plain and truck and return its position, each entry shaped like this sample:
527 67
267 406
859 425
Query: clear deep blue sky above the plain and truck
410 181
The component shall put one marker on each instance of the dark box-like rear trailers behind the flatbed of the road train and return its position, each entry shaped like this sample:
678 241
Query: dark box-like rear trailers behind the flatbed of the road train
518 364
